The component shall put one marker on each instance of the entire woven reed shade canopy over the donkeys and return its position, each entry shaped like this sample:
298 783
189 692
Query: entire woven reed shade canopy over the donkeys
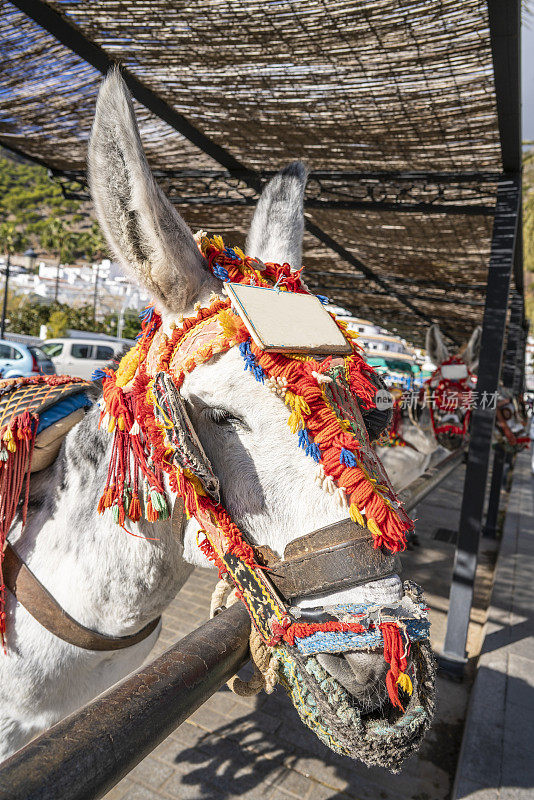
391 104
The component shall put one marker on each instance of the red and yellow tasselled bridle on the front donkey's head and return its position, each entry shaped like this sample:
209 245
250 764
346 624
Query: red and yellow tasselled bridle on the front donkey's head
155 440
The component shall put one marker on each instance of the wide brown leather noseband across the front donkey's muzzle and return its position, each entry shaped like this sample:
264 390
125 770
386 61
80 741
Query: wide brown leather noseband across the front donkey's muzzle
328 559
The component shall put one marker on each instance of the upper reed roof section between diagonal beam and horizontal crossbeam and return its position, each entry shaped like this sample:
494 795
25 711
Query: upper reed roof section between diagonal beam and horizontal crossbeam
373 84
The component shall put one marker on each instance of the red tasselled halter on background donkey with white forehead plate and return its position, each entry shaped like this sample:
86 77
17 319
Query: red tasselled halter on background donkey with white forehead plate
440 390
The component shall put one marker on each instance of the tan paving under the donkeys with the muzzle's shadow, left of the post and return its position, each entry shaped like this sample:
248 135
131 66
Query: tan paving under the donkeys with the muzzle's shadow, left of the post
257 748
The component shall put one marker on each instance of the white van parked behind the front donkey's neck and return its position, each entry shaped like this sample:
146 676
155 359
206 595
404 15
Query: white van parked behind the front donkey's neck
80 357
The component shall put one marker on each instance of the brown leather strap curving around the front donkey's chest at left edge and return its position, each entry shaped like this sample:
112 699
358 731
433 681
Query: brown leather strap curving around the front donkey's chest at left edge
38 601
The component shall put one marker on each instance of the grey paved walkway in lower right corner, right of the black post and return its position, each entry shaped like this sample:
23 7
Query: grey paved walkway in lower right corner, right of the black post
497 759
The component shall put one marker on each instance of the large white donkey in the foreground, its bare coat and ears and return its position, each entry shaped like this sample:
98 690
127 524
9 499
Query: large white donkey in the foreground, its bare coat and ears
114 583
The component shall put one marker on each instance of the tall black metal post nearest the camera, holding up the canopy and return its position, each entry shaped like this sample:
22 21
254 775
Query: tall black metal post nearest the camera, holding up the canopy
482 422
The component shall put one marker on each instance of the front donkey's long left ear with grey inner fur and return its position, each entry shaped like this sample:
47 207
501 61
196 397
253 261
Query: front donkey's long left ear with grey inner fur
145 232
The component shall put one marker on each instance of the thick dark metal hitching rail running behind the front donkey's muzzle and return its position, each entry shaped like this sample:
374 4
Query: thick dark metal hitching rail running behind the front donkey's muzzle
86 754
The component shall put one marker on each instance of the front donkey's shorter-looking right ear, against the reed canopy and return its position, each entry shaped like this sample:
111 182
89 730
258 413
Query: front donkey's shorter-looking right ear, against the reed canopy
278 223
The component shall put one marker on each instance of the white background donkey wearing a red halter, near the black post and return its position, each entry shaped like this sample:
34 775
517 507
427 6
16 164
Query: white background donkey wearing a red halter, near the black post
406 464
